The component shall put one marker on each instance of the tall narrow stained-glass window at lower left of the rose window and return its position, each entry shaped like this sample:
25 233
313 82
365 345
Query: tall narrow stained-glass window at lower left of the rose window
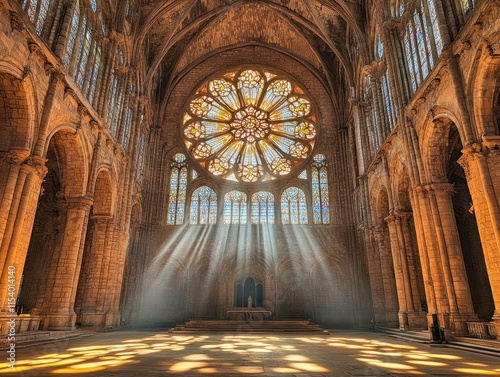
177 193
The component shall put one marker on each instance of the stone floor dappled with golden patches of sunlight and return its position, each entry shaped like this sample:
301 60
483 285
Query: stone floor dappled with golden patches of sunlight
159 353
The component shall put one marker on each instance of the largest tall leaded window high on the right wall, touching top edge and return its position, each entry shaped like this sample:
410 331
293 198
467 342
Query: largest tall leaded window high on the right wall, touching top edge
423 43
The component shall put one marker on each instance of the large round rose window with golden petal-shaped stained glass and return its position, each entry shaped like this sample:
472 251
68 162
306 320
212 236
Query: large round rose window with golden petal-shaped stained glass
249 126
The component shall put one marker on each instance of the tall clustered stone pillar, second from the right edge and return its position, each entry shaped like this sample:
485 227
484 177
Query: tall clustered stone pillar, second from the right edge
451 265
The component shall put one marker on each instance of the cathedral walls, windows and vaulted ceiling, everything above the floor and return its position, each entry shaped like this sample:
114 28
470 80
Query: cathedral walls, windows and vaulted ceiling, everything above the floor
329 160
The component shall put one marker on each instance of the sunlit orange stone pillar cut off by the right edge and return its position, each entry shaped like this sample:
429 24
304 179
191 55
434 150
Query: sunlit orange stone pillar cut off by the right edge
481 164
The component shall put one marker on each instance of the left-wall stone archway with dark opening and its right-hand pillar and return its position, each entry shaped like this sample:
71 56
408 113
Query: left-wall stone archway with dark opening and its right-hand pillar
49 281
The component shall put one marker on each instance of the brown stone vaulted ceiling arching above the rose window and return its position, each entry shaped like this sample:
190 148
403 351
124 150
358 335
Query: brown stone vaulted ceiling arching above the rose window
175 36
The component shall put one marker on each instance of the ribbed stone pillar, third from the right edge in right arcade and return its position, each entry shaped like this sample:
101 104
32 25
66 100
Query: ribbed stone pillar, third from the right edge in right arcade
405 272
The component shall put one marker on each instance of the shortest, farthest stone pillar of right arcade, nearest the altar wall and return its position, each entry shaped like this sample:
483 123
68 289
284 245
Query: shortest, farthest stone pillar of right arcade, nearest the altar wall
380 234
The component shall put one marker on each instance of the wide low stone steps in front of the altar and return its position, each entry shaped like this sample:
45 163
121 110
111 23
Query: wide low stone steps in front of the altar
289 326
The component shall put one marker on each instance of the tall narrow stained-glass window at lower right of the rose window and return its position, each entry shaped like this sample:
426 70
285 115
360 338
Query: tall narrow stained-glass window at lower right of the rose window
319 184
